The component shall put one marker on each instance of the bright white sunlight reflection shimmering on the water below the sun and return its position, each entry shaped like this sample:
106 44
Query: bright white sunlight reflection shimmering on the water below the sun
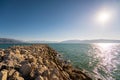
106 53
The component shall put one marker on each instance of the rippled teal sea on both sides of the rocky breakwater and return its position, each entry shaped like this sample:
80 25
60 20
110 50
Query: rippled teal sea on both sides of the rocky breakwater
99 60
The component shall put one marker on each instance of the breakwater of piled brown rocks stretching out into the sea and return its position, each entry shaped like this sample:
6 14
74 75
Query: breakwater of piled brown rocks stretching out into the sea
36 62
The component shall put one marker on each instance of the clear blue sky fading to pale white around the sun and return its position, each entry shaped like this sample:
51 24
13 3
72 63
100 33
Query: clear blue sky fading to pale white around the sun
58 20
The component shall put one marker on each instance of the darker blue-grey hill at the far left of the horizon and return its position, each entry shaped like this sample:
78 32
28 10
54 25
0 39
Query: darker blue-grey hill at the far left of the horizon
9 41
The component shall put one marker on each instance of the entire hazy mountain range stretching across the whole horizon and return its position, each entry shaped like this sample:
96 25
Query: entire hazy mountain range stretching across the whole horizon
13 41
